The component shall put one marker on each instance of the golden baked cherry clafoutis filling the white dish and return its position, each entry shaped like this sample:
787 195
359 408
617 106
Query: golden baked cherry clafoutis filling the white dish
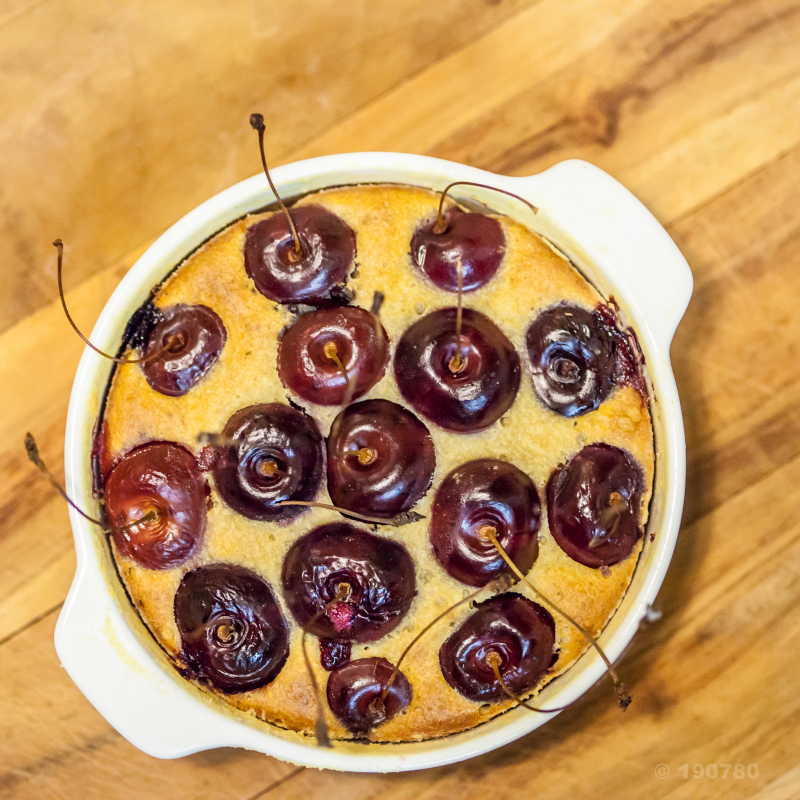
279 371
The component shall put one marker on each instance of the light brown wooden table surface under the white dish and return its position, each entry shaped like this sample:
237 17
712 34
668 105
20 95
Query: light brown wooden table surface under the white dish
119 118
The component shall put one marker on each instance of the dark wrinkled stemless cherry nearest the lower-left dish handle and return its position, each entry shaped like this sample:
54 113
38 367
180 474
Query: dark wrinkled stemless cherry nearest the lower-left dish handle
233 634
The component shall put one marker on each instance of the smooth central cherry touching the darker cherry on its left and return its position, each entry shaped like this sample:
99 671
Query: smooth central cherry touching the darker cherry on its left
380 459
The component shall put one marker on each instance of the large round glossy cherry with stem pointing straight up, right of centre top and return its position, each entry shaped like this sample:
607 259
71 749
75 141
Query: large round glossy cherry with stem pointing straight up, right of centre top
467 398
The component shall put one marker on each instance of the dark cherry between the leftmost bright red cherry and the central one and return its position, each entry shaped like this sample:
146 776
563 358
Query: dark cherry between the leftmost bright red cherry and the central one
279 457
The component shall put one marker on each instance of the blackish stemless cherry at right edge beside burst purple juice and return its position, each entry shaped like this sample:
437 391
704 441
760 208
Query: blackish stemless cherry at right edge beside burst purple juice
571 352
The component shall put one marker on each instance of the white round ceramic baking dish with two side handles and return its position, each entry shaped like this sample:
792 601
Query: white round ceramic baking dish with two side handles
619 247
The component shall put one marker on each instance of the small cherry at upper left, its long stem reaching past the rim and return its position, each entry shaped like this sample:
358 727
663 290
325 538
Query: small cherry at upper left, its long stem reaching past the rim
193 337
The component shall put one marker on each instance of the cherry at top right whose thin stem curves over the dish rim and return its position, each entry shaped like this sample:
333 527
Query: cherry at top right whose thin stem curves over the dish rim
476 239
